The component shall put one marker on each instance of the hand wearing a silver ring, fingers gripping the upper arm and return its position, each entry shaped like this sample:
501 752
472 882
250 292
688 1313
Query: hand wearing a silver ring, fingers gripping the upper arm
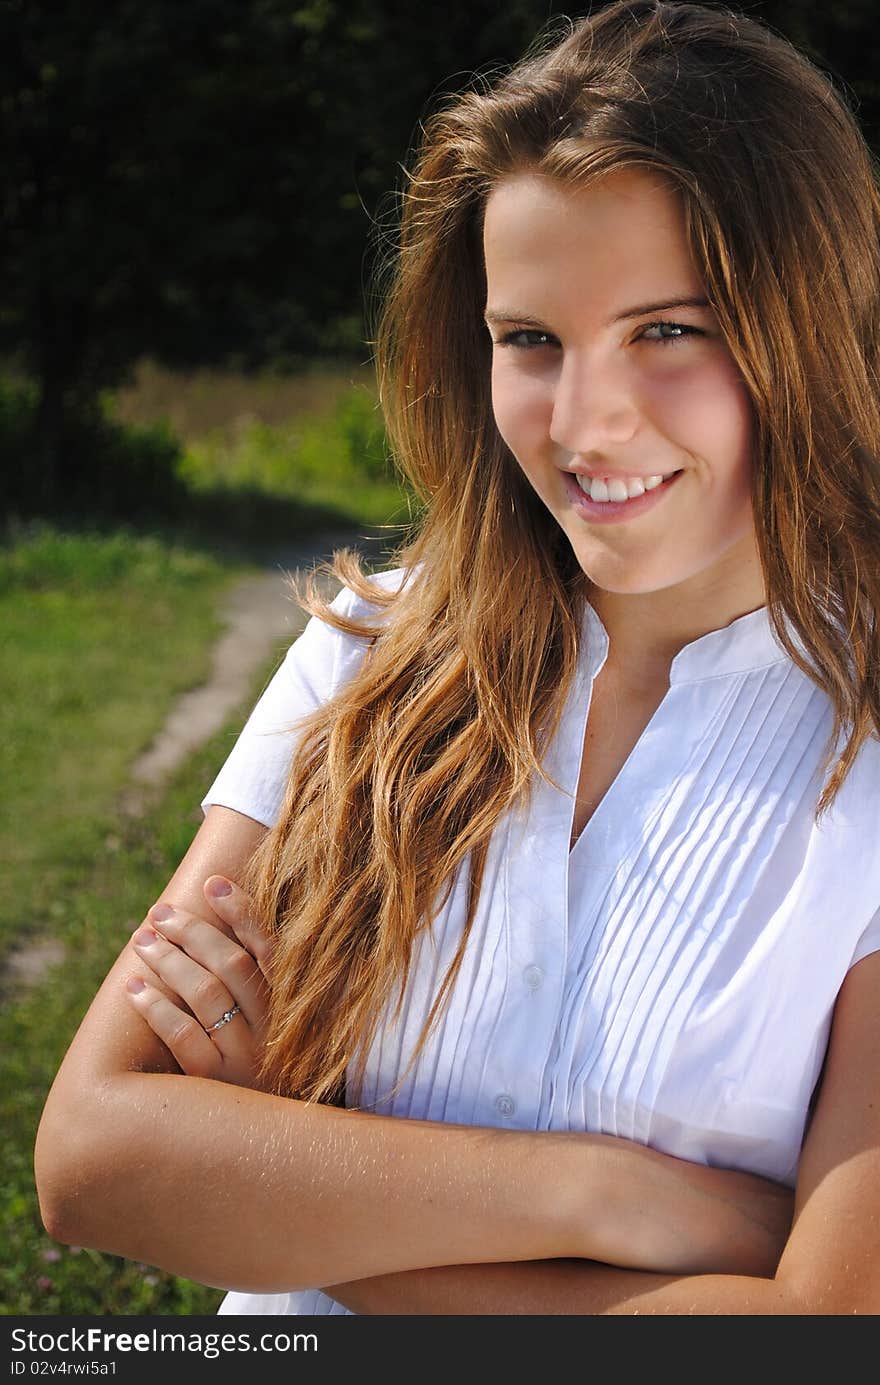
210 974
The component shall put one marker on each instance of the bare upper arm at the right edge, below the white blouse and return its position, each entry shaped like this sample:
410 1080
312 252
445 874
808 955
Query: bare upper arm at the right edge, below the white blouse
832 1261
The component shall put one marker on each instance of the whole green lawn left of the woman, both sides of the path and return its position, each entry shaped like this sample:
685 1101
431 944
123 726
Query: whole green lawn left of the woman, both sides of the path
100 634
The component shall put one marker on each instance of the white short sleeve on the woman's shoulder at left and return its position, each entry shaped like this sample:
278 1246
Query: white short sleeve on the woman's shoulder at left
254 778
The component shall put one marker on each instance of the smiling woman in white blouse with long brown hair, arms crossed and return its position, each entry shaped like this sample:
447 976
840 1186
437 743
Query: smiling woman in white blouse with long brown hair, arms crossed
569 861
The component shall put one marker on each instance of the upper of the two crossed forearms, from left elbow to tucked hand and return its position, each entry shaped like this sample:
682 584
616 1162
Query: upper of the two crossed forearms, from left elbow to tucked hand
239 1189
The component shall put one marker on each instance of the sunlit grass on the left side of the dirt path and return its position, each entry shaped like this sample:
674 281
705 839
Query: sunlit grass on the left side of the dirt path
100 634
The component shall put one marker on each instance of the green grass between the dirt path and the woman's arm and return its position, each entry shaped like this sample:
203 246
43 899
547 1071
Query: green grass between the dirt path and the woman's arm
39 1276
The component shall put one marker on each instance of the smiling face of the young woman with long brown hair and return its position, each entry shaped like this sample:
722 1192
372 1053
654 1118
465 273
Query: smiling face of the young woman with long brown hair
588 388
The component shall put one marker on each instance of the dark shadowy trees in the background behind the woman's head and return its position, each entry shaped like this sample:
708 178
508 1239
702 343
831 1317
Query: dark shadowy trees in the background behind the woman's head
200 182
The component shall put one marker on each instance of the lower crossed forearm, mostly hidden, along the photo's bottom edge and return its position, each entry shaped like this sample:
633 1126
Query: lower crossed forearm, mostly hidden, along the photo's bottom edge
558 1287
